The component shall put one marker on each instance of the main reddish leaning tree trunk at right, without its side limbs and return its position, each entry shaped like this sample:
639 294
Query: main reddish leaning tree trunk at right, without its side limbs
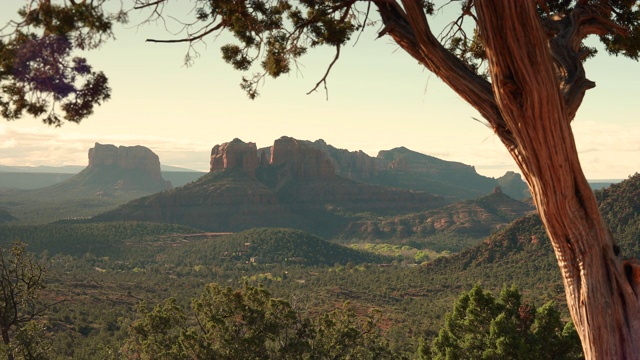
601 297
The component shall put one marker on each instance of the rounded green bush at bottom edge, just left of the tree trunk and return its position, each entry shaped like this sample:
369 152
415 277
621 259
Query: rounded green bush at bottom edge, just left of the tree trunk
483 327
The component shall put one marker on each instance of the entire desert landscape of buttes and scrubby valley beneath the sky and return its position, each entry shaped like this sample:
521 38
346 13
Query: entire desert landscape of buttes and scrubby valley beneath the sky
403 234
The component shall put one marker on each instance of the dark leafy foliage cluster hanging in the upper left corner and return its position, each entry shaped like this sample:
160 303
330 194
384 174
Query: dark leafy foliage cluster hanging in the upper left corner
40 74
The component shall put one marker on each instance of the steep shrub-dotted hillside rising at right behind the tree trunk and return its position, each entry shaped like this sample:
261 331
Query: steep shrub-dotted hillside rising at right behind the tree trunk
522 253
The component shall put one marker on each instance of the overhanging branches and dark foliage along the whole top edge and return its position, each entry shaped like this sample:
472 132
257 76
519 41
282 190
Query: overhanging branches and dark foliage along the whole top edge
42 76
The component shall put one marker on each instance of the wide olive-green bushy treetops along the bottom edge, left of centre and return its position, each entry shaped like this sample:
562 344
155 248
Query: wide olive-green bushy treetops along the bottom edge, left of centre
249 324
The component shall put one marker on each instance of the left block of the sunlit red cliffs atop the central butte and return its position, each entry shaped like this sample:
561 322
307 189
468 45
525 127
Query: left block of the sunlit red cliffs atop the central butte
235 155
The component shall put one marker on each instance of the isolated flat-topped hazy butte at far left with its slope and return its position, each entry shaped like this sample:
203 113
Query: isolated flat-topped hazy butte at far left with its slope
113 176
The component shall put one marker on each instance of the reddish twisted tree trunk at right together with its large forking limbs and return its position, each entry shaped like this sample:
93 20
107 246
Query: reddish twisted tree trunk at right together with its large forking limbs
537 84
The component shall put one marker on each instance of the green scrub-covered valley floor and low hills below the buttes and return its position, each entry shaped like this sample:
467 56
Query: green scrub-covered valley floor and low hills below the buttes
105 269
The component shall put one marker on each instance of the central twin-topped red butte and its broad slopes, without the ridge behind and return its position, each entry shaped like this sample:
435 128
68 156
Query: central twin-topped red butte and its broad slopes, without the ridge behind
292 184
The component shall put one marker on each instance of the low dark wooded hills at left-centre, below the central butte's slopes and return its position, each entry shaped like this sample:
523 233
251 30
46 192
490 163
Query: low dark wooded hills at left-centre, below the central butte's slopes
180 246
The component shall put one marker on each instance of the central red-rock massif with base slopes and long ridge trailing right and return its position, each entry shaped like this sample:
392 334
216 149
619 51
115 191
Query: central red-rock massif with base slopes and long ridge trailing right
308 185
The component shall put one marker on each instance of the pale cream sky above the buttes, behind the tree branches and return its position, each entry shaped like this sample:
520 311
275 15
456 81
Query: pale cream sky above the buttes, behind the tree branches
378 98
